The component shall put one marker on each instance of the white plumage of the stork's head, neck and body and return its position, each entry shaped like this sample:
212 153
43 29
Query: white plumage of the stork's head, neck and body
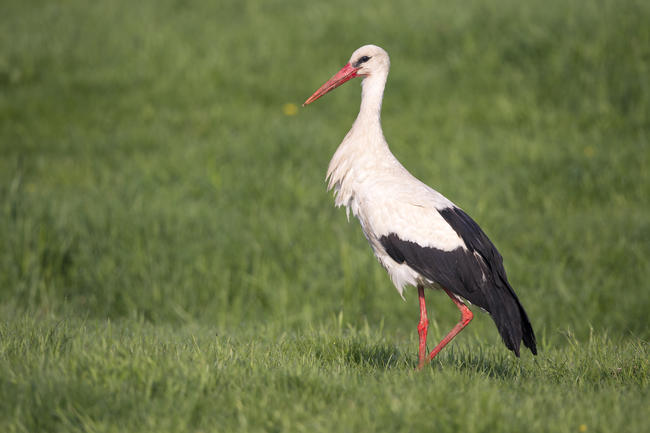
369 181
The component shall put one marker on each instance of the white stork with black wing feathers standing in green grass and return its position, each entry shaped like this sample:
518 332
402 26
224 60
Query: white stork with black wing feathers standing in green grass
419 236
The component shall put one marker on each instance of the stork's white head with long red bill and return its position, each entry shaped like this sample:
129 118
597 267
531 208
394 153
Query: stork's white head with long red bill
367 61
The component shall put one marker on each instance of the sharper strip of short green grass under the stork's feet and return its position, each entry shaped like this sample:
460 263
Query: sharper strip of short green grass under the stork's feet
133 376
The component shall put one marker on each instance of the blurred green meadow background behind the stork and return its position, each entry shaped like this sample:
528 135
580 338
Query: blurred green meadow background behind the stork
152 171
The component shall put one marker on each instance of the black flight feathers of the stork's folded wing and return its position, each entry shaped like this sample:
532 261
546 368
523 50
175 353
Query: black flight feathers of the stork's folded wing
475 273
